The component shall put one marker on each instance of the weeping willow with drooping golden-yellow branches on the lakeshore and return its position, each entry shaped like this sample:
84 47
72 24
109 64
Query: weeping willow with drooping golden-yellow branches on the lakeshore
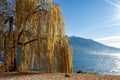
35 38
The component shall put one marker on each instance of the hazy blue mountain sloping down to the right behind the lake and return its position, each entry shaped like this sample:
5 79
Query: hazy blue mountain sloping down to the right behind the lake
82 45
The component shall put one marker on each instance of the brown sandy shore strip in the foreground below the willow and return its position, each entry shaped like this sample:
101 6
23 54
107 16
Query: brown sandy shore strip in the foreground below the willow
55 76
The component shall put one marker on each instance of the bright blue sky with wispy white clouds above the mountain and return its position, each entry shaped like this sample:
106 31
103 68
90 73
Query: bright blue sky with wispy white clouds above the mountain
93 19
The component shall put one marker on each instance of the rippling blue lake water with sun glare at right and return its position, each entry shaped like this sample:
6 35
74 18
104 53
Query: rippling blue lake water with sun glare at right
101 64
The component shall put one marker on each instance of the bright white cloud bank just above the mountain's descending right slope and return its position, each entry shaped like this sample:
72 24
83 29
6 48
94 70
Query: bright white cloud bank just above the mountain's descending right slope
113 41
